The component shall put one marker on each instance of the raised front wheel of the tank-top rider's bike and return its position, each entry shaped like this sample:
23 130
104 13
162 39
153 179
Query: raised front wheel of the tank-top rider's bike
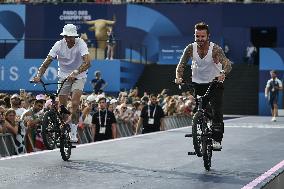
197 122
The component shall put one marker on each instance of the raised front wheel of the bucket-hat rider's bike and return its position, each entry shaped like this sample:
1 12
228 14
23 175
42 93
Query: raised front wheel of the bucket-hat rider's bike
49 126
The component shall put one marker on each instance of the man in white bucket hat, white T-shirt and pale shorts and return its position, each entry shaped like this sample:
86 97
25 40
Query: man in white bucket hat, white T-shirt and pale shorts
73 62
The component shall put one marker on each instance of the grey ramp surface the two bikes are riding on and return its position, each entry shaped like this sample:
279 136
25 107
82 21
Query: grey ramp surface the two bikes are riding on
154 161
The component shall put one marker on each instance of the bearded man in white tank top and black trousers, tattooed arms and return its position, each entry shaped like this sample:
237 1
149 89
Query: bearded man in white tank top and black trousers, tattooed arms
208 62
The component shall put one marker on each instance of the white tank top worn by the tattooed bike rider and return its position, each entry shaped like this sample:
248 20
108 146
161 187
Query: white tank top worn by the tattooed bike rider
204 70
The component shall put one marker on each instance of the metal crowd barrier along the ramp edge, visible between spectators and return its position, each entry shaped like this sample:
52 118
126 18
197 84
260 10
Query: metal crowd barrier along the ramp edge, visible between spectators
8 146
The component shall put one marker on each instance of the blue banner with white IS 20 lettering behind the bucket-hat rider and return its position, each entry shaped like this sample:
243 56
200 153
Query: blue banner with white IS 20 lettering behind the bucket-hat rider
17 74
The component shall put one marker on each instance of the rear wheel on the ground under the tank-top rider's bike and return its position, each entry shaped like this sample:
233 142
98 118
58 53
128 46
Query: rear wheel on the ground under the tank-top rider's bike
207 152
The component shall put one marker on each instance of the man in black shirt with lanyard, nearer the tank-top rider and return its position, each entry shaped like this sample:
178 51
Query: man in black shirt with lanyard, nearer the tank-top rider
151 118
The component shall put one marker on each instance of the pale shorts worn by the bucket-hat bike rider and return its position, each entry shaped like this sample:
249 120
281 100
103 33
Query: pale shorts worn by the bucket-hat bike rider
70 86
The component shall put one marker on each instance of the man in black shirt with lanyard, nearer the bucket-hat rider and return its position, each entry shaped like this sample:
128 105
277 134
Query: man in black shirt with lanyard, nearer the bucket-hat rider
103 122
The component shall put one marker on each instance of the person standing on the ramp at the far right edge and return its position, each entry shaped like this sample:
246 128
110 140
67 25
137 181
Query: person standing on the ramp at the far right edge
273 86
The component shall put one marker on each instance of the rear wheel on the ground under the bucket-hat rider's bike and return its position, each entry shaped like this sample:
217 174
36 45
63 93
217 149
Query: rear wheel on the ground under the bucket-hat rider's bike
65 143
